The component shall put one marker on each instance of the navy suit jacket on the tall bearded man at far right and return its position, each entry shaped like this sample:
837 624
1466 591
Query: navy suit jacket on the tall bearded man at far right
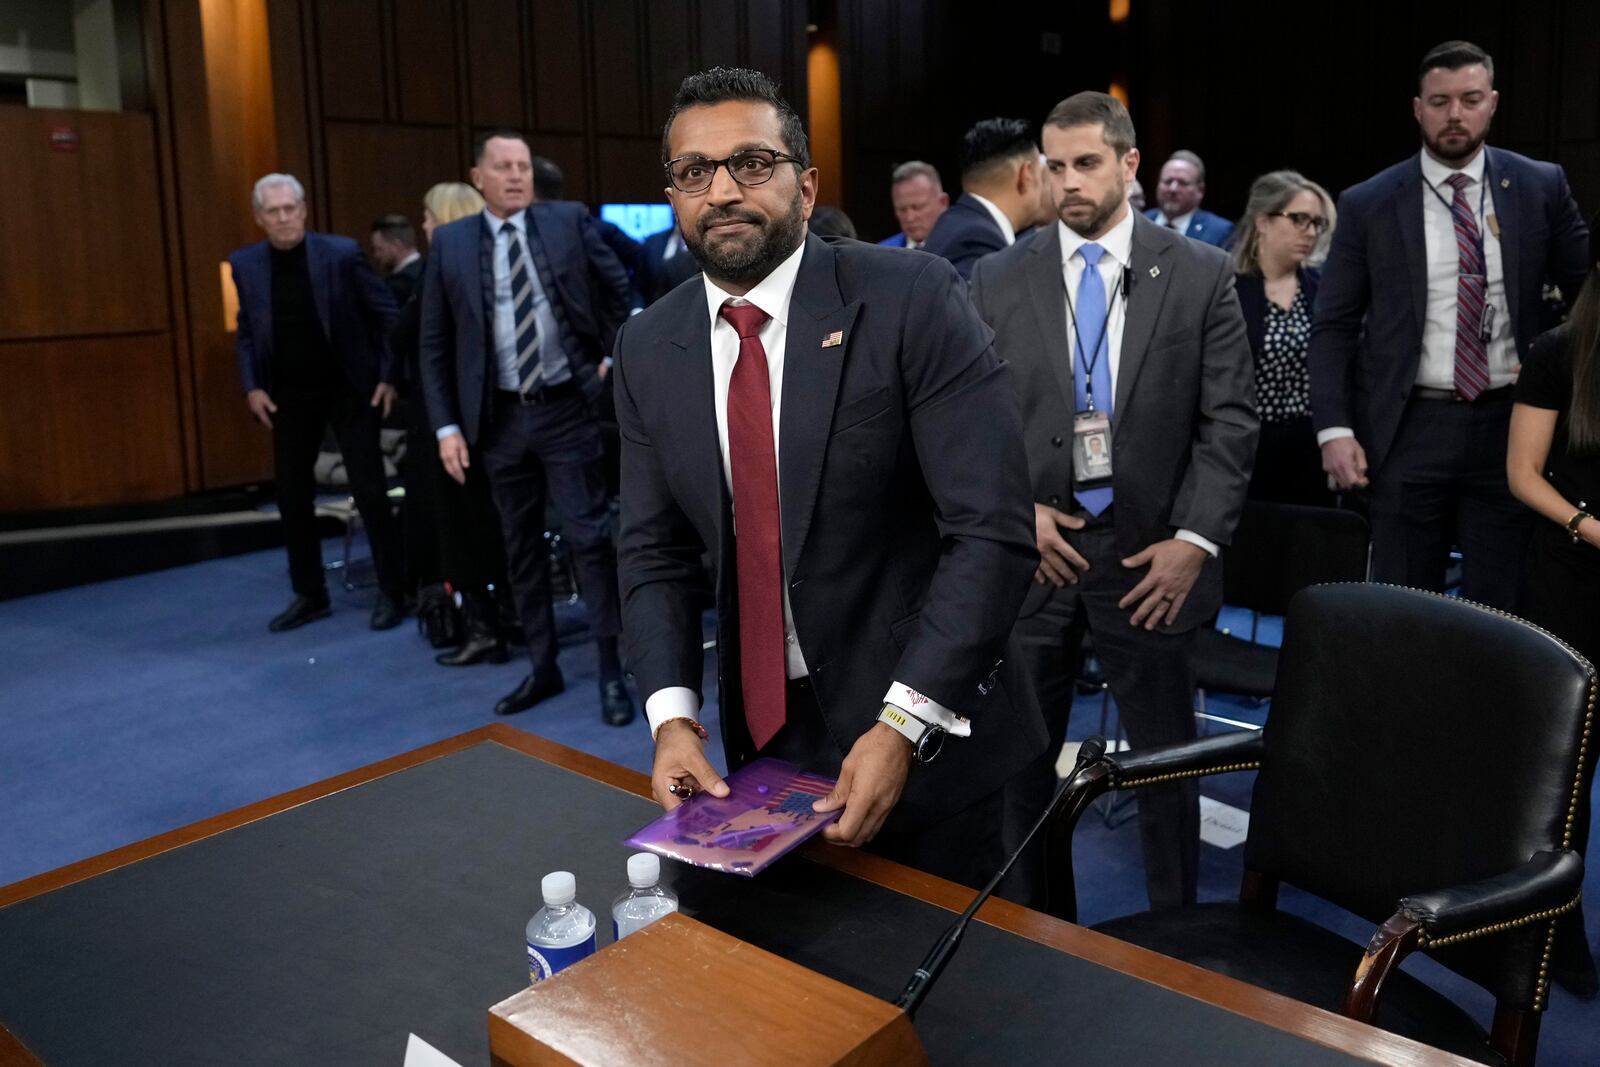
1367 338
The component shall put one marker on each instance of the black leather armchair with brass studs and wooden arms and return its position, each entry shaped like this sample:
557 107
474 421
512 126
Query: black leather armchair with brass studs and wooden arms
1426 767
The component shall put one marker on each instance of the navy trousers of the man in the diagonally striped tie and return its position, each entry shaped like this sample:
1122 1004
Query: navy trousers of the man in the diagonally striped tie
551 449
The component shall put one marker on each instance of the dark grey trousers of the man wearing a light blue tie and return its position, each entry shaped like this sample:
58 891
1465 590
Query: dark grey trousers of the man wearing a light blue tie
1153 681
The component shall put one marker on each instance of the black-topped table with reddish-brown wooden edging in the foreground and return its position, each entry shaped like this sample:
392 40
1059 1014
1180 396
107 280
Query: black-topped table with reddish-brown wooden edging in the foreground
326 925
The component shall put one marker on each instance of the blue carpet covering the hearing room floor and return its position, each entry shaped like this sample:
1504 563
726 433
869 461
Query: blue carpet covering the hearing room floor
148 703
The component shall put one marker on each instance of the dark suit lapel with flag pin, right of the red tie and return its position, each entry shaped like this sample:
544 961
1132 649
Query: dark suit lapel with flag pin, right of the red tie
812 375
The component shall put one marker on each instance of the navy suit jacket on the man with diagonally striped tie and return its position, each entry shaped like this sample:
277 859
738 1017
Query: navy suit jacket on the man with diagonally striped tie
458 335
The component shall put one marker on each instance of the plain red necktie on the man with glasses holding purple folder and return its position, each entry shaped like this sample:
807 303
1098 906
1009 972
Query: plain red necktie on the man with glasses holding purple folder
753 455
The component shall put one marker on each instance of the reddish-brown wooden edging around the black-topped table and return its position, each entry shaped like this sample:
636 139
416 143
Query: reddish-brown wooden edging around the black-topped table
1220 991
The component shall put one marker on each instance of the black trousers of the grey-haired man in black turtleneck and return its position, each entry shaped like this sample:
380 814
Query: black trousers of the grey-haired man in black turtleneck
297 439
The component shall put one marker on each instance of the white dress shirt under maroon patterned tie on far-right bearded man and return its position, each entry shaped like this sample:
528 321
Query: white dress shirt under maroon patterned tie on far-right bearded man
1438 364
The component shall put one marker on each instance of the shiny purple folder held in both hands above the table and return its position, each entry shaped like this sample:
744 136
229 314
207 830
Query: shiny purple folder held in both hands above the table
766 813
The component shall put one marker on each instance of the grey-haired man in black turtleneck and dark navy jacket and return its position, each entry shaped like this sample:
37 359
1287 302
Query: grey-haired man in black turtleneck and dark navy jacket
313 353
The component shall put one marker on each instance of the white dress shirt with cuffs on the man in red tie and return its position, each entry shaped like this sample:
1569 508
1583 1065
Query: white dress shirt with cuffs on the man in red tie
772 295
